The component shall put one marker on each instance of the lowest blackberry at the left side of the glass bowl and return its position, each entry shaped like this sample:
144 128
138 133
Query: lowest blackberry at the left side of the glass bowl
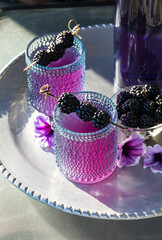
130 119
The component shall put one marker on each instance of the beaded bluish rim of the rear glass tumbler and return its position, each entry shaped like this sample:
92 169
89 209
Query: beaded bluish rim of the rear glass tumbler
53 68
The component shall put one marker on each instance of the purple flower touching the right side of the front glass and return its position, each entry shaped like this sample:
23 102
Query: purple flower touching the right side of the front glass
131 150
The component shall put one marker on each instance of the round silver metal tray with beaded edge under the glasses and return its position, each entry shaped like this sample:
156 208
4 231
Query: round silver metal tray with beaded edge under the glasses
129 193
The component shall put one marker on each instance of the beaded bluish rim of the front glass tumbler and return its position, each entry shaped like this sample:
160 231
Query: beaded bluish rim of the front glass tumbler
109 127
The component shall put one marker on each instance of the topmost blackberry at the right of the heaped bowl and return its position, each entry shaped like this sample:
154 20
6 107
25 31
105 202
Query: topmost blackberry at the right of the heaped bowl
152 90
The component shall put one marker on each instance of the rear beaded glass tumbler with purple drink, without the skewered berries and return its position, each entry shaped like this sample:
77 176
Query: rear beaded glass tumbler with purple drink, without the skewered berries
65 75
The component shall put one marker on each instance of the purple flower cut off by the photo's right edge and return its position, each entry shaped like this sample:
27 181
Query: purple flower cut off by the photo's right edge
153 158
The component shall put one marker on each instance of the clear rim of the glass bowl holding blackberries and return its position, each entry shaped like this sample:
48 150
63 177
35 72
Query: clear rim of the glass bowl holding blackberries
134 129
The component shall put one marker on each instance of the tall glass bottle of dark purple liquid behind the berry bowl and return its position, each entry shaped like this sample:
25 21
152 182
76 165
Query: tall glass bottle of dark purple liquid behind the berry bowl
137 42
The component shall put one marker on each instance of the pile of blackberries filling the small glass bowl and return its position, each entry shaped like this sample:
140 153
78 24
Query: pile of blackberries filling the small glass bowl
143 109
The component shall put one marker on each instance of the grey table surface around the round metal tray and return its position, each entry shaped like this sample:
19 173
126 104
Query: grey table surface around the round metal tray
21 217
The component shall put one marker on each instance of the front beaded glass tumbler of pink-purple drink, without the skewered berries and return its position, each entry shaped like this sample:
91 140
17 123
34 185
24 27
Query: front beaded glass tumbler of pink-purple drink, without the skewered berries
86 156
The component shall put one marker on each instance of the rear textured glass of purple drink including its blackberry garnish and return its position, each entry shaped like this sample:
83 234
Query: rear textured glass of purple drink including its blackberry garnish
60 66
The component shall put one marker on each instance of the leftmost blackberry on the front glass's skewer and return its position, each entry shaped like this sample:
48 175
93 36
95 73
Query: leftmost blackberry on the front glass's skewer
67 103
